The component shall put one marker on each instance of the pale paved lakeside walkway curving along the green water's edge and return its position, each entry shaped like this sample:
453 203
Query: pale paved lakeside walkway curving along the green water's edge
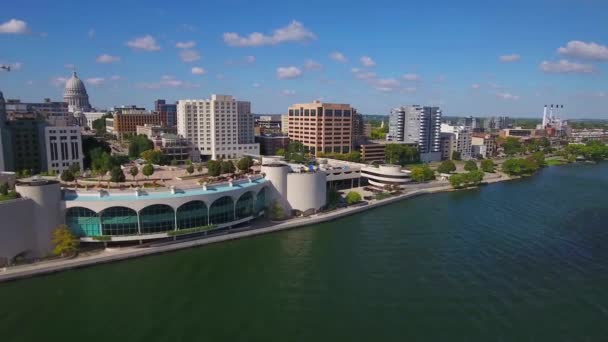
114 255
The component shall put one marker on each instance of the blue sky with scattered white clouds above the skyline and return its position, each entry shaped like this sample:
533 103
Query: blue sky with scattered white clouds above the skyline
475 57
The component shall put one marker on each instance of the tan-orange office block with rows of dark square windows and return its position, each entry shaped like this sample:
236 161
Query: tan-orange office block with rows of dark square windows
322 127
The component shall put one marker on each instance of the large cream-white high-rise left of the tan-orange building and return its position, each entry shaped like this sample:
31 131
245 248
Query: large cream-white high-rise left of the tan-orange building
219 127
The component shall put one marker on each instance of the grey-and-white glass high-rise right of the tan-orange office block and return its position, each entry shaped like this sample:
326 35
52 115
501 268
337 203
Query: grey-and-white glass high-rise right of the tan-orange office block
417 125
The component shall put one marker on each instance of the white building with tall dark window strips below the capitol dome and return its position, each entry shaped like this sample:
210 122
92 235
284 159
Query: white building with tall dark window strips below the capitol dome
63 148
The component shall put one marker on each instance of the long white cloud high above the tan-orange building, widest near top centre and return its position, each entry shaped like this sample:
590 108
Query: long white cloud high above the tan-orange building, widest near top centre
294 32
